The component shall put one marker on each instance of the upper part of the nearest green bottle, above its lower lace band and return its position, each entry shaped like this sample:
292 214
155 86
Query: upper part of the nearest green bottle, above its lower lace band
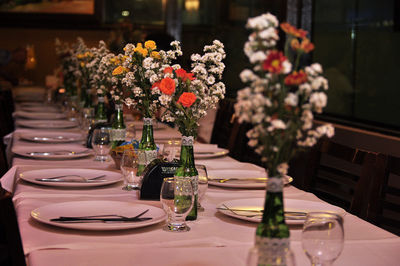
273 220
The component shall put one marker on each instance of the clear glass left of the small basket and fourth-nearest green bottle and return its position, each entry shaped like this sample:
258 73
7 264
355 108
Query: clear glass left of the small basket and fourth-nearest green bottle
101 143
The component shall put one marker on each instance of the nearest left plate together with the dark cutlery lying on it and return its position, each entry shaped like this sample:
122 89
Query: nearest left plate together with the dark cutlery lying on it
99 215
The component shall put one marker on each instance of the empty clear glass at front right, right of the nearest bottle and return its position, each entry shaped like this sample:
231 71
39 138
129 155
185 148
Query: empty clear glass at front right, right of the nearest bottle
323 237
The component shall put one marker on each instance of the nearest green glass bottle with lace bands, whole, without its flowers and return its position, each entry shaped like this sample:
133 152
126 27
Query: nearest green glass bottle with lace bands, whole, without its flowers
272 234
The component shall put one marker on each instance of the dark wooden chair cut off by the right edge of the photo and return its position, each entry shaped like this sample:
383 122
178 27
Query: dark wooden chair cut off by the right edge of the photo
384 203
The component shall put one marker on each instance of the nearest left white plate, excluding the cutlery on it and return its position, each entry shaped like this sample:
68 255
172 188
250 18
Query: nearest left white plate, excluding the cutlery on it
86 208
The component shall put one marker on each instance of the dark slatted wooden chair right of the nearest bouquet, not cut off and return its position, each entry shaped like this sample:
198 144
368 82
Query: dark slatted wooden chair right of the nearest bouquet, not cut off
340 175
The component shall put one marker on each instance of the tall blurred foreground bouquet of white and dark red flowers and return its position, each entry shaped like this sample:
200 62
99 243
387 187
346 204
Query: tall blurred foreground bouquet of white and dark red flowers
281 95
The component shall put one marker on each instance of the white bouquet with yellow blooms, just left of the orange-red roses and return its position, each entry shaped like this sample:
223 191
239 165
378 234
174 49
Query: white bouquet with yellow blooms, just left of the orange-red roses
139 68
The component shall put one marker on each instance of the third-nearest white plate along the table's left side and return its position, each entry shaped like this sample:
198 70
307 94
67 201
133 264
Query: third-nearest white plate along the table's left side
52 152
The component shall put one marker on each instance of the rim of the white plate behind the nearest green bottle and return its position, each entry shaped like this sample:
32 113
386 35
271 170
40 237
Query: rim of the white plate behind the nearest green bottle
342 212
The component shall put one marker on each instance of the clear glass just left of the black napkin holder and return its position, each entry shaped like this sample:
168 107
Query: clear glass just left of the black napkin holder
129 165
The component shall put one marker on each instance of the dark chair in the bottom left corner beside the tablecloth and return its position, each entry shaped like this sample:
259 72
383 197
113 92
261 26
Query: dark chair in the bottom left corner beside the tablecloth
11 251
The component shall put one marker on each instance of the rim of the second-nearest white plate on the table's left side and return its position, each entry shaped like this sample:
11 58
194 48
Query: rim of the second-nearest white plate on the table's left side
71 184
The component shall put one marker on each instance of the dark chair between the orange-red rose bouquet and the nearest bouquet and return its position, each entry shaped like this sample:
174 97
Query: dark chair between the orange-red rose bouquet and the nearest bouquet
223 123
